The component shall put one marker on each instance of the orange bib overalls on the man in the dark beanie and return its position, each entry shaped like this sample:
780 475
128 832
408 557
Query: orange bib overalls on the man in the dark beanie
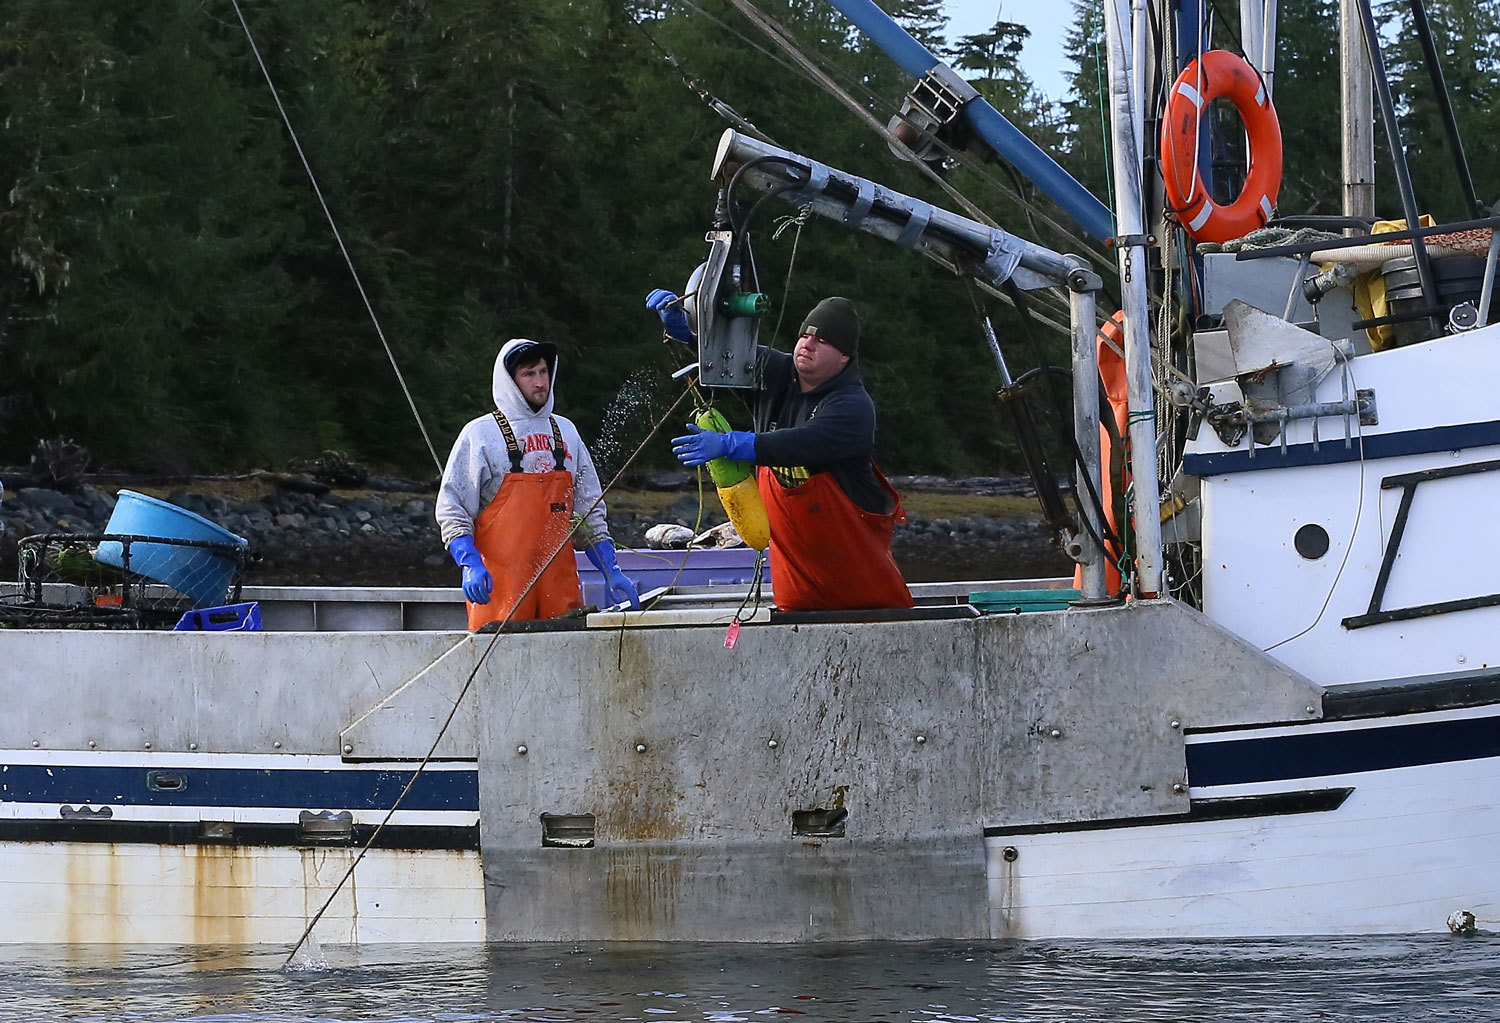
827 553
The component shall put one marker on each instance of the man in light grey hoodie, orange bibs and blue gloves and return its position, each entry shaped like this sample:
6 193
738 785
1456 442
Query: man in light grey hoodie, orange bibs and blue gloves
508 497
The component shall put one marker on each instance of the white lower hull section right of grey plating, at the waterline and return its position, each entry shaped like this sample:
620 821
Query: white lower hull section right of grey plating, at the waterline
1405 851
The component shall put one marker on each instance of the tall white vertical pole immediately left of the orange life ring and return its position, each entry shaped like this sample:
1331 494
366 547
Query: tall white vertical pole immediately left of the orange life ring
1126 131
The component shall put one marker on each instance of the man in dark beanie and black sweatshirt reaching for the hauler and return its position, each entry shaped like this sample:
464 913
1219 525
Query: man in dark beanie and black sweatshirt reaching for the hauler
832 511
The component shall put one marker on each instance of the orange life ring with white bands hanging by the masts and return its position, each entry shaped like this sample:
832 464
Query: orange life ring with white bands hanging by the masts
1223 76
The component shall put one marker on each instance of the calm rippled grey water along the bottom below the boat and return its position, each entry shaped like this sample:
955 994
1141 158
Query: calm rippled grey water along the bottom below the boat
1402 979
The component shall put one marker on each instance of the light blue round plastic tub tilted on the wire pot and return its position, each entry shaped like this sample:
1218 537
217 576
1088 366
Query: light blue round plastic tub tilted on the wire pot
194 572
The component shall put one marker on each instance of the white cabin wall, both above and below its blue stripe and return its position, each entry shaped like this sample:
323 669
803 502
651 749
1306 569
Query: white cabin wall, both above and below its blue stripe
1258 586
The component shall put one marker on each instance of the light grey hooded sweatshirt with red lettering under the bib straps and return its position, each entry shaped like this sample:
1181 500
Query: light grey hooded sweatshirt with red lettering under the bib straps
479 460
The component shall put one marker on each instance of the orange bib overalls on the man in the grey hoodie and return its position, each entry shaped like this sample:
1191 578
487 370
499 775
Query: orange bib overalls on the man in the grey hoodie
524 536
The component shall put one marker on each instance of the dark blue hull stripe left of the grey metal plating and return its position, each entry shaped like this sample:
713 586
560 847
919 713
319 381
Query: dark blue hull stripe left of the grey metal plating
349 790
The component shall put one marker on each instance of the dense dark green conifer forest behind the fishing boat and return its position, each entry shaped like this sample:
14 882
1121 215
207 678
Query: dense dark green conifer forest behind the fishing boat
173 299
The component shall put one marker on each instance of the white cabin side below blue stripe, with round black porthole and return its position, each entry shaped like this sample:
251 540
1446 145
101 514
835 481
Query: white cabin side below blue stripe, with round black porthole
1258 586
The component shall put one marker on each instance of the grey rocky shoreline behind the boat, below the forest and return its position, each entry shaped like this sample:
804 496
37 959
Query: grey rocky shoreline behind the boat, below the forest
389 536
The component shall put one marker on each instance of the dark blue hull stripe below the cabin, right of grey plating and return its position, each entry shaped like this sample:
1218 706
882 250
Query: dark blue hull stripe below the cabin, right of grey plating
1282 758
